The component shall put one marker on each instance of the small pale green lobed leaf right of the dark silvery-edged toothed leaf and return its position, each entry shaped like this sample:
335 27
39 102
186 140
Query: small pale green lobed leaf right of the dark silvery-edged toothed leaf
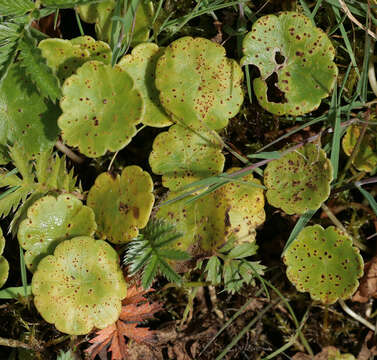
230 266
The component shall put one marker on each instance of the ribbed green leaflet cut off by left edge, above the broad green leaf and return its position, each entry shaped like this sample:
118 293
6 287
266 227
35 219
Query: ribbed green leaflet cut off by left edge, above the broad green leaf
9 36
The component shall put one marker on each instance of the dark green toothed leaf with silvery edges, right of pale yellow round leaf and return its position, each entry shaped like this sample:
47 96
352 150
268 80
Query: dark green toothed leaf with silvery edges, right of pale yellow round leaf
152 251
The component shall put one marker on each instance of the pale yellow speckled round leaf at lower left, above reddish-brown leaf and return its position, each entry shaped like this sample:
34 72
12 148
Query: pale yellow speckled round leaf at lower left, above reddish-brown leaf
79 287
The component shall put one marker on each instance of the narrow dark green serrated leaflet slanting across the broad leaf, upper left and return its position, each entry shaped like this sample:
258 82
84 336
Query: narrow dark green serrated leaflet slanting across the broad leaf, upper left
37 69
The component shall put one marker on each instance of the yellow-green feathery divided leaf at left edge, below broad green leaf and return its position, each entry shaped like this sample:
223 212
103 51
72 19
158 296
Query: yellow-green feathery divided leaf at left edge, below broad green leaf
46 174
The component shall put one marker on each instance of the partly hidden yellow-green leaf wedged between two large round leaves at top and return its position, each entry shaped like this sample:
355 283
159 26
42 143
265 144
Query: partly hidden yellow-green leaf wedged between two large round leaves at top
141 65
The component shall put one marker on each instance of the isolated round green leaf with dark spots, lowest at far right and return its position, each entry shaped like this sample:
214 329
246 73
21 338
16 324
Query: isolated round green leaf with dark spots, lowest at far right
324 263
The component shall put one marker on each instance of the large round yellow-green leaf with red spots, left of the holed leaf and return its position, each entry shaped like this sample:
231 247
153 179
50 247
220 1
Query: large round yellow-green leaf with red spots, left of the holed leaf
198 83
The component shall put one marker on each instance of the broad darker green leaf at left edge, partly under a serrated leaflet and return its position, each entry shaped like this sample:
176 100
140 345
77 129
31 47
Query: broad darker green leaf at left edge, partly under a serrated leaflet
25 117
